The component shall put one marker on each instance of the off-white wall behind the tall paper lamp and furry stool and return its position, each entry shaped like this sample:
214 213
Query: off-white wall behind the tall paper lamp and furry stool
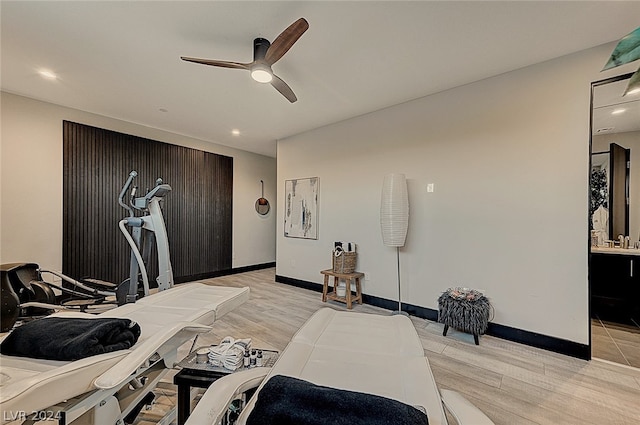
509 215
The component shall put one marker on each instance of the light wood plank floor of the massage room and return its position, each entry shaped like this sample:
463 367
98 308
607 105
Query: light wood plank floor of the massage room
511 383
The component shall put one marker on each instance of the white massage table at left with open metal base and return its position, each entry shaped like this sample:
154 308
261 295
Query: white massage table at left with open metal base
105 388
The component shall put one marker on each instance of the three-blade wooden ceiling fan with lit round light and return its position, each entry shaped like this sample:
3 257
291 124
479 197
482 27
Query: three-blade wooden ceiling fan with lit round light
265 54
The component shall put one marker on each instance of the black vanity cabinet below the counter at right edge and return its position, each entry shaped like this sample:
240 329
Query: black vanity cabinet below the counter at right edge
615 286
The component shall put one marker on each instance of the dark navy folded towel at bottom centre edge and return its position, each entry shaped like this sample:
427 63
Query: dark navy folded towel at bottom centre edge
290 401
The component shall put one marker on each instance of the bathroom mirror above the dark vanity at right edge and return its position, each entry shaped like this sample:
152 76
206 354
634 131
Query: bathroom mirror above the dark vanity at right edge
615 156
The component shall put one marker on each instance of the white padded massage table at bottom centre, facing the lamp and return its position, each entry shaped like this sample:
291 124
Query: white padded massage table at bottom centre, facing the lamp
380 355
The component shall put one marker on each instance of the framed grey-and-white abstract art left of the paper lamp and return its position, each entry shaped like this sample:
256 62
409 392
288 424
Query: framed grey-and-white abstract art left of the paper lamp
301 208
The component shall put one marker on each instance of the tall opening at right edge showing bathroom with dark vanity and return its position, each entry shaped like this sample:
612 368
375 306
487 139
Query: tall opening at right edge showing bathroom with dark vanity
614 222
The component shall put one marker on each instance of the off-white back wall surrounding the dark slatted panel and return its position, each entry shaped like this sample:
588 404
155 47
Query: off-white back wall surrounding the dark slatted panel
31 181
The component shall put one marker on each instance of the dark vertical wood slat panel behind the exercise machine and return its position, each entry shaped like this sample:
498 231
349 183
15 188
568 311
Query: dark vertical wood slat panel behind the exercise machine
197 212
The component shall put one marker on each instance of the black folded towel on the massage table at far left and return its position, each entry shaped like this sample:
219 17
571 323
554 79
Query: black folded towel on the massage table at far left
58 338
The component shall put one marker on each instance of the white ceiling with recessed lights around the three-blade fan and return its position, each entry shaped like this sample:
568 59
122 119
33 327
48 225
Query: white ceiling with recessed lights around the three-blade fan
122 59
